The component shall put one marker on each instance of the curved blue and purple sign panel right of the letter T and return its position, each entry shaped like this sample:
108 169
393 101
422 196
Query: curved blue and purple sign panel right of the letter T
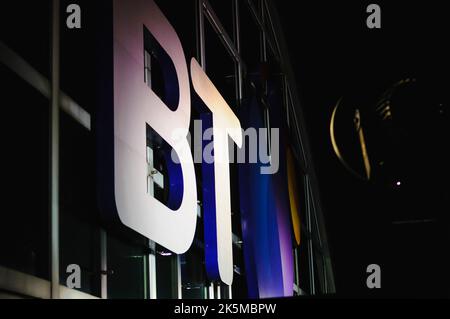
265 210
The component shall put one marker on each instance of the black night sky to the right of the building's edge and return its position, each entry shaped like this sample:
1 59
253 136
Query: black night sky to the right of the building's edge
334 54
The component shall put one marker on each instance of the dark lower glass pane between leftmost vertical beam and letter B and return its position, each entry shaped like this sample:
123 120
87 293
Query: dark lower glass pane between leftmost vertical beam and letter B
79 229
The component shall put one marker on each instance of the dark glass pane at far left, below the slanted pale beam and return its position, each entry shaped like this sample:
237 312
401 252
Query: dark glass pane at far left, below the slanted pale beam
24 239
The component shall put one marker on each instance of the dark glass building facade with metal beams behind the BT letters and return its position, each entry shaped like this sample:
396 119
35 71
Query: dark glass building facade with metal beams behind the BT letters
60 84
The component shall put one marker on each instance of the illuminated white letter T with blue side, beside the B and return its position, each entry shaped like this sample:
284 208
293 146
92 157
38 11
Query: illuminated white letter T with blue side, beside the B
224 124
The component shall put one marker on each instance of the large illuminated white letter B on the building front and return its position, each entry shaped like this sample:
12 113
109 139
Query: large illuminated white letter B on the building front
135 106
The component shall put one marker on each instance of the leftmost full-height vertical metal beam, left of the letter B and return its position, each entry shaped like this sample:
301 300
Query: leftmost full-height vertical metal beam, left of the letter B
54 155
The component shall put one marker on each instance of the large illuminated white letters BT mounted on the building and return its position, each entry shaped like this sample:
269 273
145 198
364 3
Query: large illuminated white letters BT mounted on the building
137 106
